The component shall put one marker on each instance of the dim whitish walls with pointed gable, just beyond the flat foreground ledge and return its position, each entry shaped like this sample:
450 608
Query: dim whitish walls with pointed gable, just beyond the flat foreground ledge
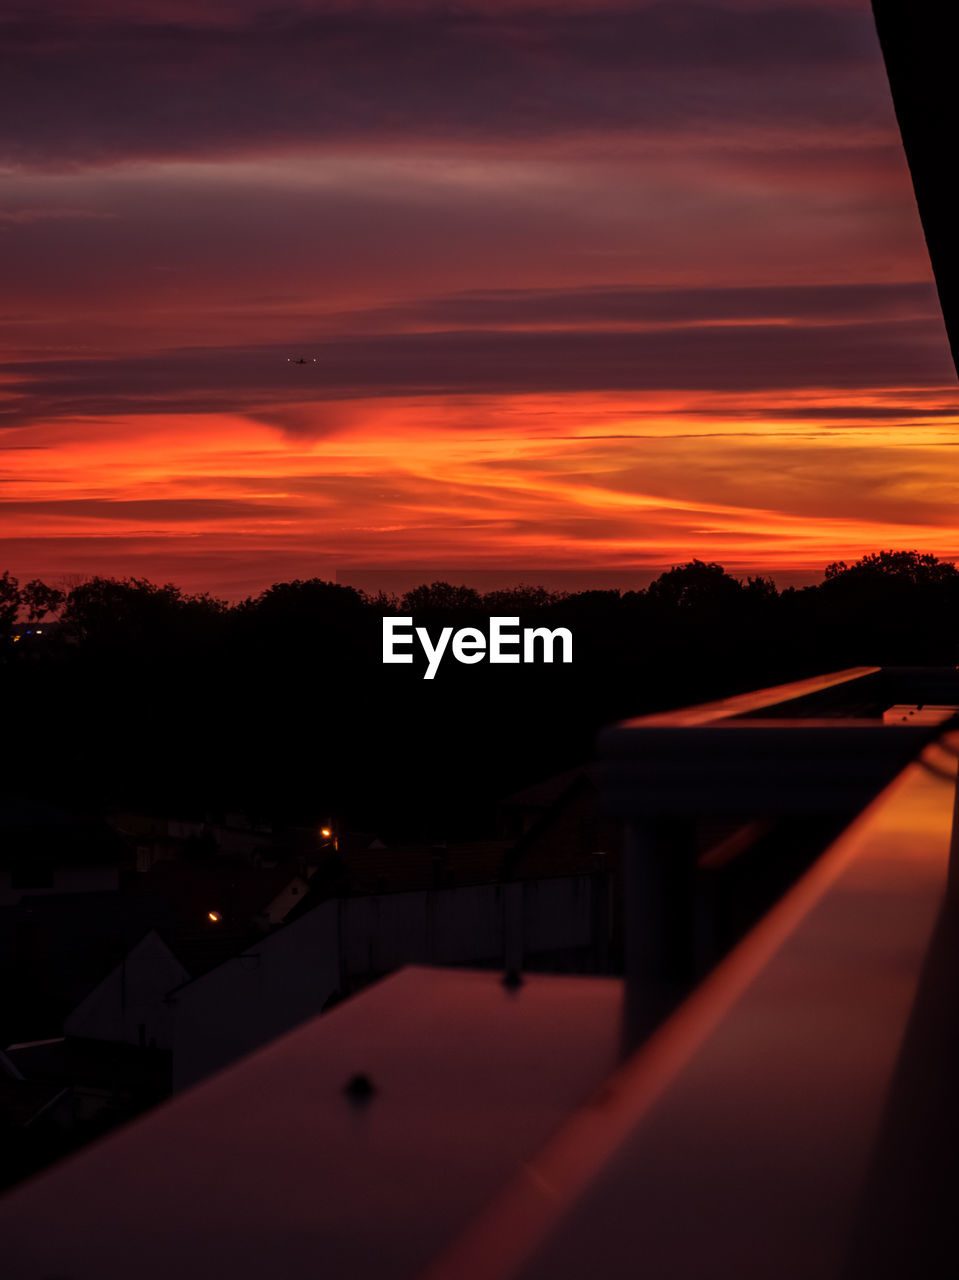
289 976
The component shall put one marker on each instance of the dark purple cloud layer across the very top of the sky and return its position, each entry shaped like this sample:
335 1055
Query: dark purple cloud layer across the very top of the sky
99 86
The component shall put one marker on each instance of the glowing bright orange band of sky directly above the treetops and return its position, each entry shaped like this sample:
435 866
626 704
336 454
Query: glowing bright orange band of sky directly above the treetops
591 484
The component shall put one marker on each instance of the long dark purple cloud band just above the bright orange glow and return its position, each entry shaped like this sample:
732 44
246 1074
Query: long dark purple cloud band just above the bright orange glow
723 358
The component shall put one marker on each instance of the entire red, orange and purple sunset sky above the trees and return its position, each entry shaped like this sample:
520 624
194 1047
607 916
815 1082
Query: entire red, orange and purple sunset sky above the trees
590 286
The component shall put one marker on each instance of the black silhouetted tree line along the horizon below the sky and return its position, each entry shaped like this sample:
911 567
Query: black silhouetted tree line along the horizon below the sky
143 694
